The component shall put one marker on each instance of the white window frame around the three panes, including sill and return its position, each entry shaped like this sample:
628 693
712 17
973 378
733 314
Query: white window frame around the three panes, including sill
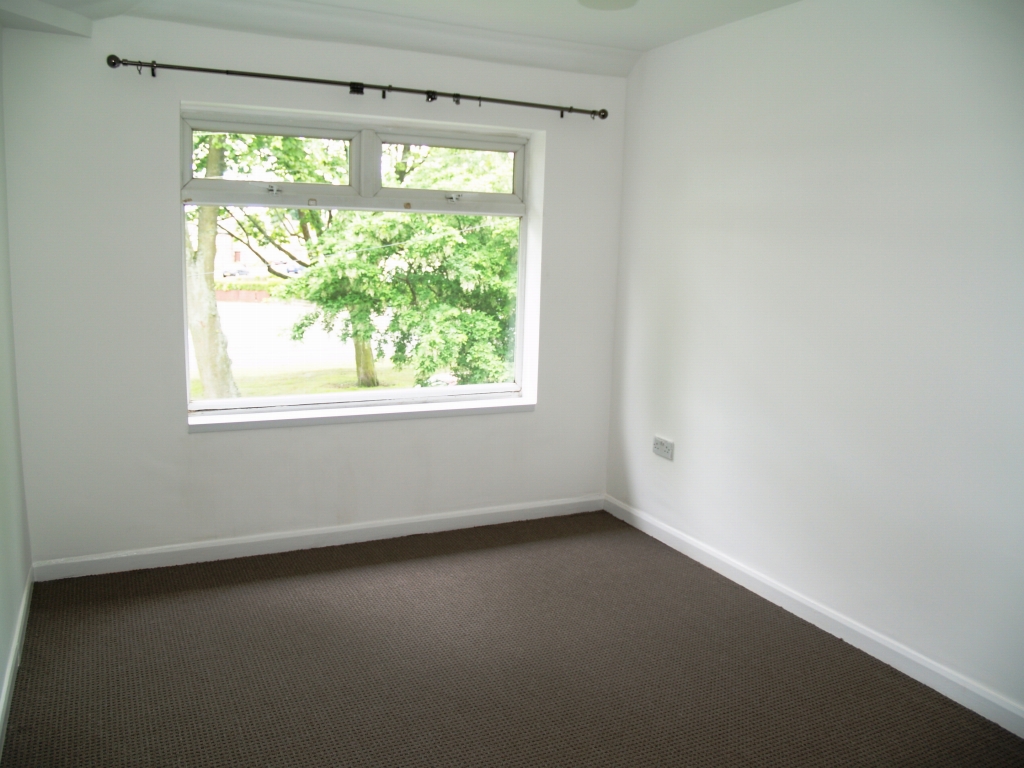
366 193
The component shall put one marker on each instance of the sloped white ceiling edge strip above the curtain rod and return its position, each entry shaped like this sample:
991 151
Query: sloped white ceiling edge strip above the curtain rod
379 30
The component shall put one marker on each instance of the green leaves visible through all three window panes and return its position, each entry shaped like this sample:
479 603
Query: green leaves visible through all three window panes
438 290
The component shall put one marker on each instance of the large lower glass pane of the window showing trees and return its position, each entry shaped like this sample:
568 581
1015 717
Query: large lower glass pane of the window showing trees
297 302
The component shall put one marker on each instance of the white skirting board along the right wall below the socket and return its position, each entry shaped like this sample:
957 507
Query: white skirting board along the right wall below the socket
960 689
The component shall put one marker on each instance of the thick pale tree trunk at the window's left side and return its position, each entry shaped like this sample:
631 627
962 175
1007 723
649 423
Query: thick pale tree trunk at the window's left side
204 321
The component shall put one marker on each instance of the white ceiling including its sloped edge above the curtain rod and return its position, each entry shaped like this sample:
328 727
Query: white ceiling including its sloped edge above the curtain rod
561 34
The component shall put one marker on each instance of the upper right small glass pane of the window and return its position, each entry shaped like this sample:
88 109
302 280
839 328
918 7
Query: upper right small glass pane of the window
420 167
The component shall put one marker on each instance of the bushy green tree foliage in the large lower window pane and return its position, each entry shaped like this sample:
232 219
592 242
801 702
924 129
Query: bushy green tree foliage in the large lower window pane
440 289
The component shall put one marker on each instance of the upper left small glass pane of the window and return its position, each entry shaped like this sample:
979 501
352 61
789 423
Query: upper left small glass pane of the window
251 157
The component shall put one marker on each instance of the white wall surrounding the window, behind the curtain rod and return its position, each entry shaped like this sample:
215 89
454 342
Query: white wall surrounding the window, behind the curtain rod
97 272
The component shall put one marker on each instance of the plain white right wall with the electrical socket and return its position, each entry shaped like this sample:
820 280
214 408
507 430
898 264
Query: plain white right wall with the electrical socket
822 301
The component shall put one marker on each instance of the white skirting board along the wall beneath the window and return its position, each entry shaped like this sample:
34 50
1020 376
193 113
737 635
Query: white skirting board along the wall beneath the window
264 544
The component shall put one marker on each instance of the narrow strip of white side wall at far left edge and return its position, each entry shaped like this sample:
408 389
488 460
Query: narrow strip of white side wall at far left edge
15 561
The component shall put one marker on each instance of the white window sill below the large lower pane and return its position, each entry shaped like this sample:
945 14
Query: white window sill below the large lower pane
310 416
